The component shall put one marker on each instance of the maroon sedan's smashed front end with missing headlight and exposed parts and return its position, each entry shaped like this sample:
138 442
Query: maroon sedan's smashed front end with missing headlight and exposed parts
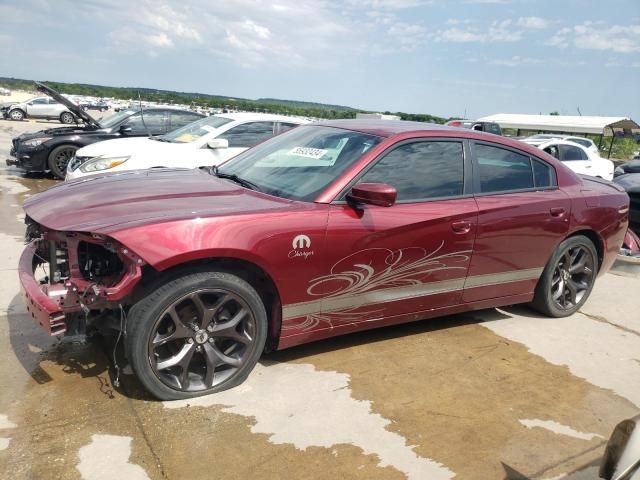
66 276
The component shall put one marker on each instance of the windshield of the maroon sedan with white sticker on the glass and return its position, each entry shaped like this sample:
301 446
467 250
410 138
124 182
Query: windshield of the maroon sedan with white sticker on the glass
302 162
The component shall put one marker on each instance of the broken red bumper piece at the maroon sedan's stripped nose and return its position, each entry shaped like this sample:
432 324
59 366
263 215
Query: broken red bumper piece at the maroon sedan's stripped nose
43 309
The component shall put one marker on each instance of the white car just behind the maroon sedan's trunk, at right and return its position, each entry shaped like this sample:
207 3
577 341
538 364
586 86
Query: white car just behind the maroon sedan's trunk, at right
578 158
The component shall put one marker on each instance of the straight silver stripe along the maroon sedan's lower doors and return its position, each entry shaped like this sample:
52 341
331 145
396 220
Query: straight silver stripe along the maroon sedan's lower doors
385 295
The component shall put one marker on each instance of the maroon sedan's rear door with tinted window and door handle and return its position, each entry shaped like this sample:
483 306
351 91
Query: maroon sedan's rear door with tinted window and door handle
522 215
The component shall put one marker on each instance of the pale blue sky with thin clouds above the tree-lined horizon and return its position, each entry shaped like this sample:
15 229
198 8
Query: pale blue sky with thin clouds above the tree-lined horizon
443 57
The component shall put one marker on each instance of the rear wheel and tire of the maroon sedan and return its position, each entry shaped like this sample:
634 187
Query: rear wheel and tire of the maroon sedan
568 278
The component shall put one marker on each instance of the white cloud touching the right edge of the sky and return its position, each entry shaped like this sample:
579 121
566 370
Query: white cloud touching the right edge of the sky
595 36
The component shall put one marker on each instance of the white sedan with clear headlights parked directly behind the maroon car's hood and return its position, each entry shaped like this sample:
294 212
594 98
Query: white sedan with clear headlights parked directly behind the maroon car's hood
206 142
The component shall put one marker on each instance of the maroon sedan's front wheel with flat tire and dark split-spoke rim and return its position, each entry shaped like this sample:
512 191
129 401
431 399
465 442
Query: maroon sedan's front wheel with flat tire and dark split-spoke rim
196 334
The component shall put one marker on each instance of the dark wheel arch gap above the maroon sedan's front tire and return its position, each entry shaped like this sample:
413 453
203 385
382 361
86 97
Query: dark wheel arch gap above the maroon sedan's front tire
254 274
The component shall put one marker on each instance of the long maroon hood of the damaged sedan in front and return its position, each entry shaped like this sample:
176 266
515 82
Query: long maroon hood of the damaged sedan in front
110 203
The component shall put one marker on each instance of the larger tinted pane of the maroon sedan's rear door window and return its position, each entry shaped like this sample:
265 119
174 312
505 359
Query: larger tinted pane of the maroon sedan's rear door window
502 170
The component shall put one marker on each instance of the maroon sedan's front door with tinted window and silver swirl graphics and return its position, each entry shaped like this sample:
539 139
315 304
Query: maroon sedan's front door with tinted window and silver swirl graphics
391 262
